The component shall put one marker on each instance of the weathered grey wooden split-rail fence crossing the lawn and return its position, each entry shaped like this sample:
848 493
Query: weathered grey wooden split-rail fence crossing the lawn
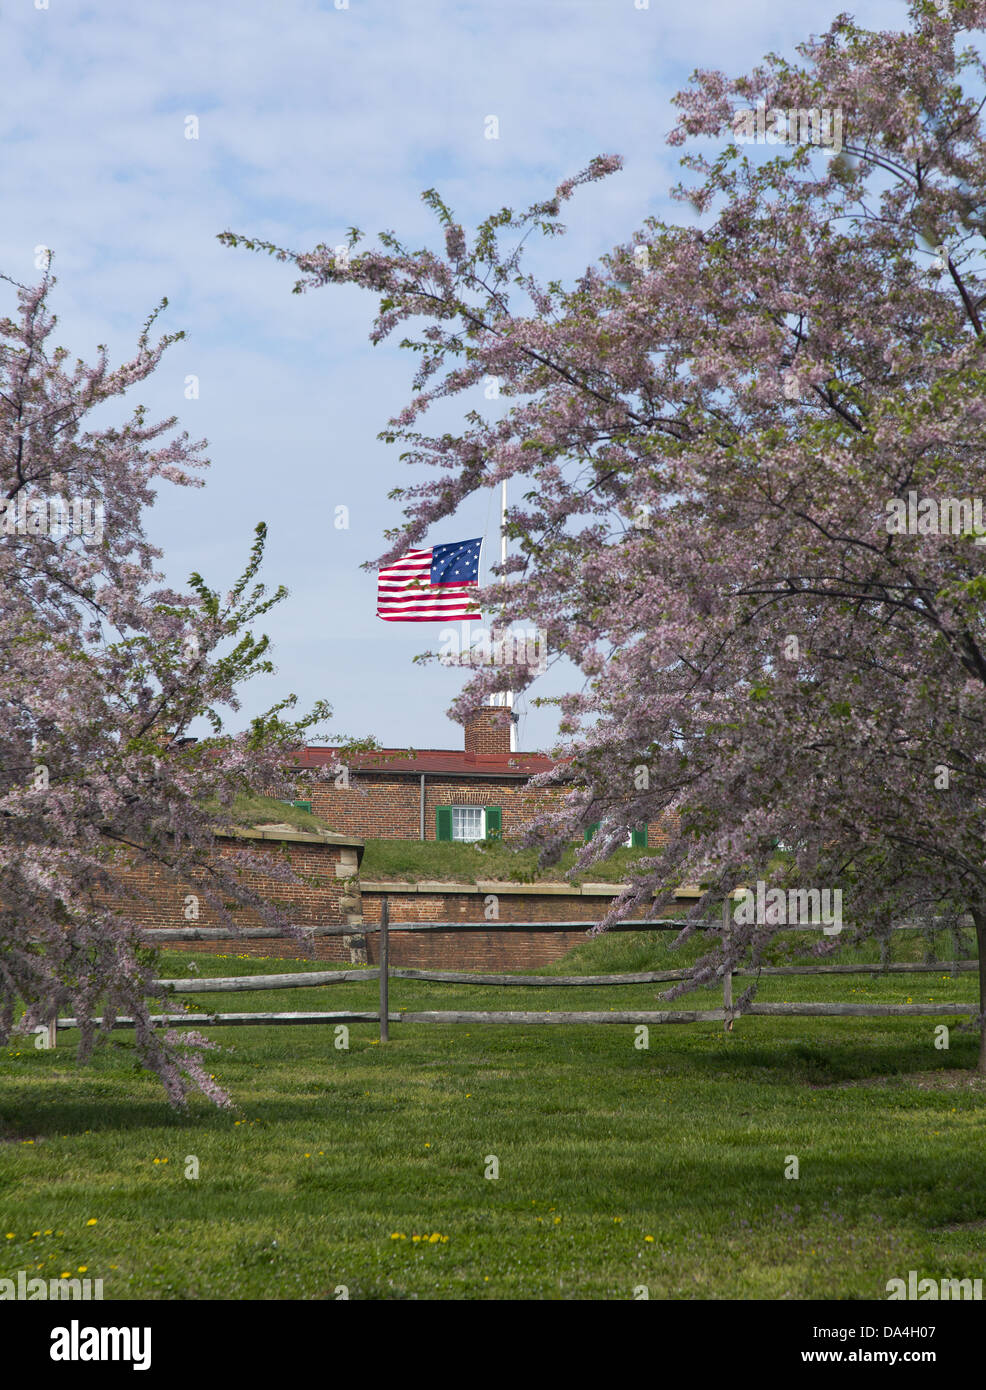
385 974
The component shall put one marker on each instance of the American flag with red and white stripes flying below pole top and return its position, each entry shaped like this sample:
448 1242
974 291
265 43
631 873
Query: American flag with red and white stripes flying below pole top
432 586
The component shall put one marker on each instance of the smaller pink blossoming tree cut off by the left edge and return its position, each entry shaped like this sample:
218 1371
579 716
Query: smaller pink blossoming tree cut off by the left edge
102 673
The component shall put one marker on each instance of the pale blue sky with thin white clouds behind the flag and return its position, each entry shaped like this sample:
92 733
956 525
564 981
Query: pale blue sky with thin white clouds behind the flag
314 119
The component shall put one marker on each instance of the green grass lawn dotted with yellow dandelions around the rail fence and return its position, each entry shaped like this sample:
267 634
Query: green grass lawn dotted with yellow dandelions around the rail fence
618 1167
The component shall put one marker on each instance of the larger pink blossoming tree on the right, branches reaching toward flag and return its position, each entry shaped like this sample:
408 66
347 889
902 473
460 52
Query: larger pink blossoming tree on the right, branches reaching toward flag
747 450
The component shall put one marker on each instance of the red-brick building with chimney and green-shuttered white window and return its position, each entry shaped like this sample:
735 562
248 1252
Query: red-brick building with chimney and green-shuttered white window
475 793
